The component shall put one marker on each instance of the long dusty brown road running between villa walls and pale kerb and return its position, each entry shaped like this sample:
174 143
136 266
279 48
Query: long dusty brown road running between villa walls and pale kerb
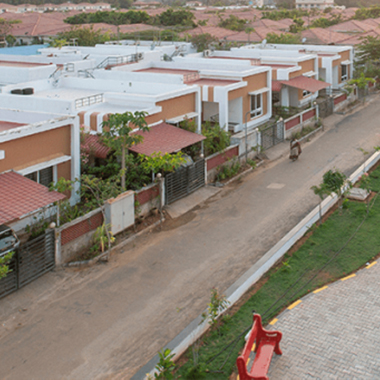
110 320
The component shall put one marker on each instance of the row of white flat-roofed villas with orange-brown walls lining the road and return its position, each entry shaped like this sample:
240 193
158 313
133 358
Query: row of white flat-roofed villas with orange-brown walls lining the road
46 98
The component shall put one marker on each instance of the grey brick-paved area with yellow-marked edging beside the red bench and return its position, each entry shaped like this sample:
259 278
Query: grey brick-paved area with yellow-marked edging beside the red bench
333 334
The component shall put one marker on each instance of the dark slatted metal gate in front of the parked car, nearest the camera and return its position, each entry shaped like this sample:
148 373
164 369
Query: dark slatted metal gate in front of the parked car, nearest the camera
30 261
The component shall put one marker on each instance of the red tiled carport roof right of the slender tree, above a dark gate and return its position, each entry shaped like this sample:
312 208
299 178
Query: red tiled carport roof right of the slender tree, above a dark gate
165 138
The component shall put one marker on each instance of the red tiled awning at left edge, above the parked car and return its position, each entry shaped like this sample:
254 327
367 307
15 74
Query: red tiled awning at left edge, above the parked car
20 196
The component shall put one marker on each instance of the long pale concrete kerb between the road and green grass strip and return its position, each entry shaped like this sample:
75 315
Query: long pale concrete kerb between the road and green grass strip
196 328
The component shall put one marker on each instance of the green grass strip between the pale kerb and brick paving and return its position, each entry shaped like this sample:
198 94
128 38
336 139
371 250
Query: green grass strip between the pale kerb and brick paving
316 252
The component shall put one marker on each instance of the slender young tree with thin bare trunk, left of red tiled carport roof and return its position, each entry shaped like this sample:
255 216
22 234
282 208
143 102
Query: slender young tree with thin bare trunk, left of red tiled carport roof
117 132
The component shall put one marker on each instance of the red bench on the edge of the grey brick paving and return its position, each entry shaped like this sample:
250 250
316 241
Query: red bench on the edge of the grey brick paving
265 343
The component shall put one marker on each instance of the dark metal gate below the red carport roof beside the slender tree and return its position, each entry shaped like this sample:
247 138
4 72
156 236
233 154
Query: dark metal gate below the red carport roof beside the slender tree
184 181
